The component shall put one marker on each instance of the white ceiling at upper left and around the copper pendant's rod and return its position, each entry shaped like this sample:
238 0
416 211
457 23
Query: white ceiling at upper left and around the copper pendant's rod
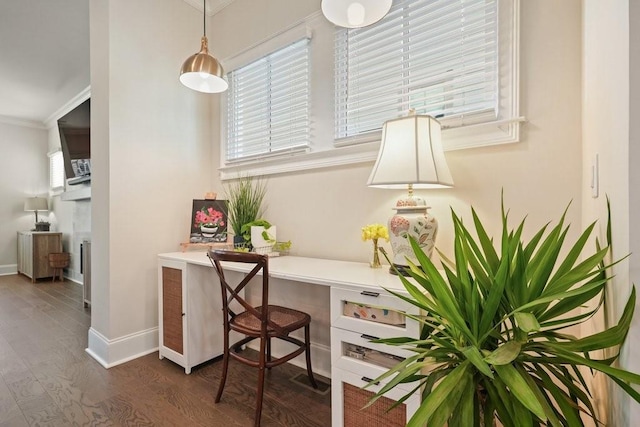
44 55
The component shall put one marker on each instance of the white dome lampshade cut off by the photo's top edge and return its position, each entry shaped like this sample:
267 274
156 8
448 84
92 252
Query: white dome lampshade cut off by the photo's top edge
355 13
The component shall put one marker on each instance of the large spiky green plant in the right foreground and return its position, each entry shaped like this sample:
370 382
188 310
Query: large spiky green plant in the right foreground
493 342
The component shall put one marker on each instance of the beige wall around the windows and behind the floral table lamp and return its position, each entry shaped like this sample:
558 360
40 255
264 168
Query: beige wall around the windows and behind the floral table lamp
322 211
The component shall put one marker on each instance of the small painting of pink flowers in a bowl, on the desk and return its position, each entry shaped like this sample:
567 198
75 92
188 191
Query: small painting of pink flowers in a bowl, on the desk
209 221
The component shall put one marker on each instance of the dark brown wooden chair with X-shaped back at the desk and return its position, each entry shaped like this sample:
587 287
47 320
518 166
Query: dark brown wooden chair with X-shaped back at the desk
257 322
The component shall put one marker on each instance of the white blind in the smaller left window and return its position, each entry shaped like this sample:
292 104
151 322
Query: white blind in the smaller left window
268 105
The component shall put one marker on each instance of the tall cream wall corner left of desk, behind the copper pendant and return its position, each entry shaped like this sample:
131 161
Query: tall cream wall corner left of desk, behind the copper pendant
151 156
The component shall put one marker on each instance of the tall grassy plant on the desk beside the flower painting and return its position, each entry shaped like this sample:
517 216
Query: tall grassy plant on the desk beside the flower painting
245 197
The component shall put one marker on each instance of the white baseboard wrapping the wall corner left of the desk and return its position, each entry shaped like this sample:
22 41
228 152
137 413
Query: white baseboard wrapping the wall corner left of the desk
112 352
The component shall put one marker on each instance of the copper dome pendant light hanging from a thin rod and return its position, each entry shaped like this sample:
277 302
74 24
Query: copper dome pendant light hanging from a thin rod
201 71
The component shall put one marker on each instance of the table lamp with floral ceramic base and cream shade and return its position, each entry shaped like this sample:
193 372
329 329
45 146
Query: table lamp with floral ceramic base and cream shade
411 156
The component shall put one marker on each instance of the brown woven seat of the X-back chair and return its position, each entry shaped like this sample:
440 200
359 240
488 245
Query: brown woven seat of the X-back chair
286 318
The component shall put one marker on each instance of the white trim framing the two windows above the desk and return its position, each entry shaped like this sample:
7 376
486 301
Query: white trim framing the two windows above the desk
325 151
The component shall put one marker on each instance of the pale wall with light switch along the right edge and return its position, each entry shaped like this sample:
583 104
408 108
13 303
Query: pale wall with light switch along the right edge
606 129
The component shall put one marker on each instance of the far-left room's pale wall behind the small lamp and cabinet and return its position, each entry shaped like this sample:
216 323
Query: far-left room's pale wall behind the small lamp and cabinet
24 172
